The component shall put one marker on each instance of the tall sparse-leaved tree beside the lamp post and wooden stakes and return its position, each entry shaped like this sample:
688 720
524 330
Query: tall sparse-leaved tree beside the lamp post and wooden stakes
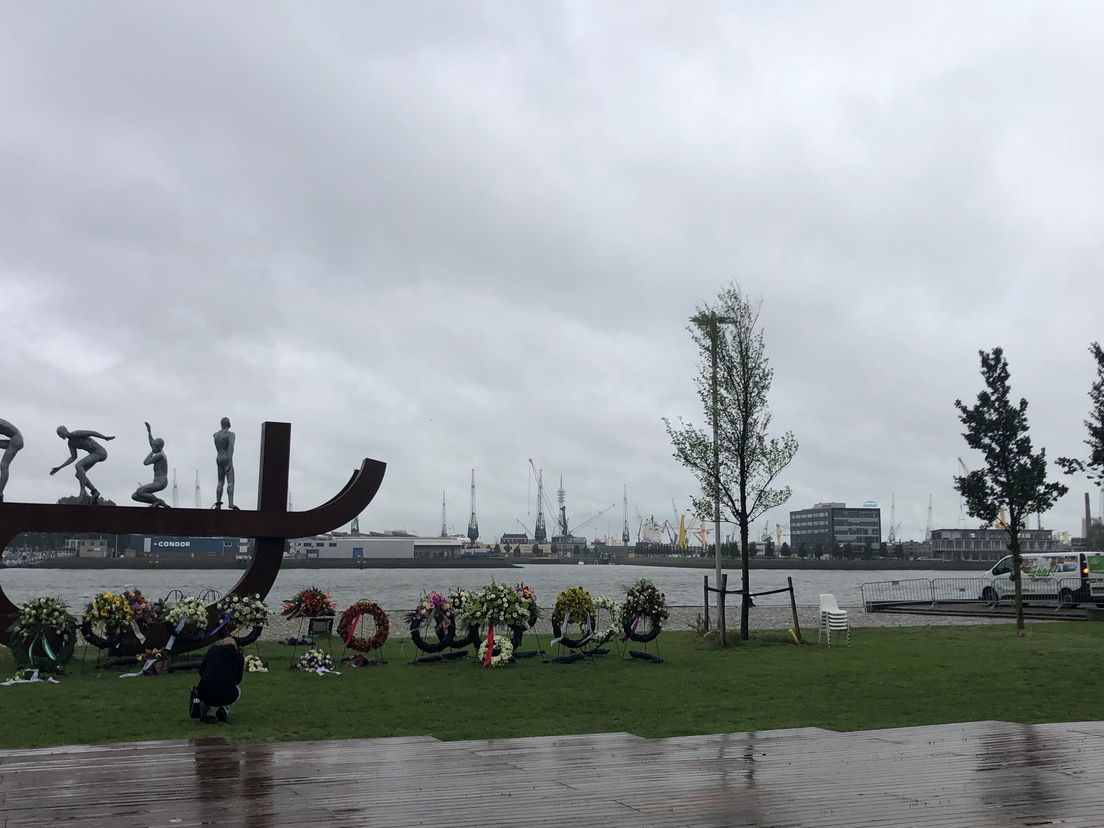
735 379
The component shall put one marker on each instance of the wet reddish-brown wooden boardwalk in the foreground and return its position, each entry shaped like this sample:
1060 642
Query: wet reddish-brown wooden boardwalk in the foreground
961 776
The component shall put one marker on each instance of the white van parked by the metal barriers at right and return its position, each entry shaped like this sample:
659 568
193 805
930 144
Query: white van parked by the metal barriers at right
1071 578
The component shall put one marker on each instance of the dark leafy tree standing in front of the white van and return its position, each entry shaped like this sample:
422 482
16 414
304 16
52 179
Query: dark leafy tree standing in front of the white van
1014 476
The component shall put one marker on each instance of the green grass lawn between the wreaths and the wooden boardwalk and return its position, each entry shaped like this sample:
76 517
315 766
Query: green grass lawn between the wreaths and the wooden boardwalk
887 678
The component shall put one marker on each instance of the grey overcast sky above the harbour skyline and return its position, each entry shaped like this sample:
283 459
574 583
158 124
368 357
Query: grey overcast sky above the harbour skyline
455 237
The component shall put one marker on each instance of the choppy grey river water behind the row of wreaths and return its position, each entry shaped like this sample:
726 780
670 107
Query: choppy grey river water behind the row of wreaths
401 589
